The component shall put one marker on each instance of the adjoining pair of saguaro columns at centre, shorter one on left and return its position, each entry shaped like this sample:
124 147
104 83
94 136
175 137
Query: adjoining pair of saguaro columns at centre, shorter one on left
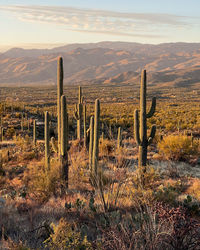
94 138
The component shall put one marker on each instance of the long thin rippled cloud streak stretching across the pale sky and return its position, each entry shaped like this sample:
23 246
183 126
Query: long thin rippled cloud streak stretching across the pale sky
100 21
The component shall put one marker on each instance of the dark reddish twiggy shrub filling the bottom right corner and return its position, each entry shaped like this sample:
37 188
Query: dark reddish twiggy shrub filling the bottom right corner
153 227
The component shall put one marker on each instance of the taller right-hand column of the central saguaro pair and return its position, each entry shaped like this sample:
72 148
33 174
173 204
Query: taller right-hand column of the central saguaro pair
95 154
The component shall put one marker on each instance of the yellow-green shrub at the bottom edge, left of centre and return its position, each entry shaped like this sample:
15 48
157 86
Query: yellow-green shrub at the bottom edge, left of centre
67 236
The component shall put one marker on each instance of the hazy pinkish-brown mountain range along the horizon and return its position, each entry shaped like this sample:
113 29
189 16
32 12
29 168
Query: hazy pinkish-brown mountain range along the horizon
170 64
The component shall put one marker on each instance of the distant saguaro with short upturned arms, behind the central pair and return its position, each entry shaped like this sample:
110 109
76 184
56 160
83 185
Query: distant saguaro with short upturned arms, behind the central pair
78 113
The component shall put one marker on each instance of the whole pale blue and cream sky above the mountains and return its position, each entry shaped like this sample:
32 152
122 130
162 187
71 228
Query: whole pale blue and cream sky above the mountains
51 23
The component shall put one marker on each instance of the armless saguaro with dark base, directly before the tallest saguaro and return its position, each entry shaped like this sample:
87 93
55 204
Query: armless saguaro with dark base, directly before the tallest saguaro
64 139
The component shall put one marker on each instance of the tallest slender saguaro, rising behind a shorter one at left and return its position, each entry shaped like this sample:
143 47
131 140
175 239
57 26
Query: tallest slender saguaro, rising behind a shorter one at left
59 94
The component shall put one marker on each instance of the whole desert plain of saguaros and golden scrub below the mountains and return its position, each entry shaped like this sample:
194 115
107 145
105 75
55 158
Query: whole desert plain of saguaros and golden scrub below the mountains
106 172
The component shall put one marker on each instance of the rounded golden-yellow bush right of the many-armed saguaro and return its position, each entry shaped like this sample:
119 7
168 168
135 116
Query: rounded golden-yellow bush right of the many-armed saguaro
177 147
